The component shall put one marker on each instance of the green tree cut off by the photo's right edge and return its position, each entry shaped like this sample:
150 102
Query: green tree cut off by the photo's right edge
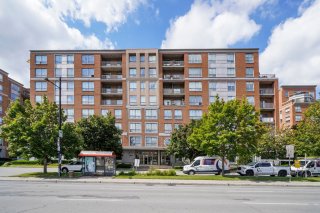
308 132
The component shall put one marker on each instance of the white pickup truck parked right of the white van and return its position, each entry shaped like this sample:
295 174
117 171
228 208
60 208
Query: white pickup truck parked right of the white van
263 168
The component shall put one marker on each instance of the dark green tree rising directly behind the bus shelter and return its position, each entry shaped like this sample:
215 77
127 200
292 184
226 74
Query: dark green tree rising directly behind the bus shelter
100 134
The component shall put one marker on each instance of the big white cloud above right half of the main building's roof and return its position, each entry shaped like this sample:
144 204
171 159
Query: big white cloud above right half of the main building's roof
213 24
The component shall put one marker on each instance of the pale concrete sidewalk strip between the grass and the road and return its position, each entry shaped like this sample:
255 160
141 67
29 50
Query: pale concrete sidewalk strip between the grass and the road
111 180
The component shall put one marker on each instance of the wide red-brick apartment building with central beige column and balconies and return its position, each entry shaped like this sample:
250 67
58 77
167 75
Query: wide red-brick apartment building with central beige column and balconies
151 91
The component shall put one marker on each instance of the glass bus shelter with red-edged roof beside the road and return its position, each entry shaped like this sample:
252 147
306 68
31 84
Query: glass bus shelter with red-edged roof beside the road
98 163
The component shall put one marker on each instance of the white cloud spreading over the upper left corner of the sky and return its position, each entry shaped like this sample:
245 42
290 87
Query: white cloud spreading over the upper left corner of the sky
37 24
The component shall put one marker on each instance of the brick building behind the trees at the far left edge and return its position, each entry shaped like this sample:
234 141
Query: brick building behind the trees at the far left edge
10 90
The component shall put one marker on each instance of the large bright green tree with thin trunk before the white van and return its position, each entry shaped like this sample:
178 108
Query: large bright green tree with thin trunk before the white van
229 129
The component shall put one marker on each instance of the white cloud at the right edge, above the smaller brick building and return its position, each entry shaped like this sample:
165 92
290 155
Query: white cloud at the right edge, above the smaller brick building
293 51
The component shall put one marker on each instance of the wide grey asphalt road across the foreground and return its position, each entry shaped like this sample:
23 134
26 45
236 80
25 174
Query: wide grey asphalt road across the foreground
16 196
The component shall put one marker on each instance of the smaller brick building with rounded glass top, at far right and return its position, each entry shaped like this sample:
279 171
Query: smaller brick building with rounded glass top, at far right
293 102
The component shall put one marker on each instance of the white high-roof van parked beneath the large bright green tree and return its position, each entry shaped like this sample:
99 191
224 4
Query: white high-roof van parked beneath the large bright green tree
206 165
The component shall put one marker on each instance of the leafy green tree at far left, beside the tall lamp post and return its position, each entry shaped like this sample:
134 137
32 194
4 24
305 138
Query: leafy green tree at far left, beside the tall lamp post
33 131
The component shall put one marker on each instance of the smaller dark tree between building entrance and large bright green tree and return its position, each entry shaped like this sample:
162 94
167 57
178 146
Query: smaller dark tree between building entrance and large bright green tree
179 146
